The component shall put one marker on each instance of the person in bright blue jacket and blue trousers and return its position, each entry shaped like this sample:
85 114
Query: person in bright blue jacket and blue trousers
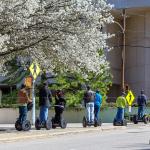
97 104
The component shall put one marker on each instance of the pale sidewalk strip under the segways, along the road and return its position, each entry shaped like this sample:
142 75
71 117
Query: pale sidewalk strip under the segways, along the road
9 134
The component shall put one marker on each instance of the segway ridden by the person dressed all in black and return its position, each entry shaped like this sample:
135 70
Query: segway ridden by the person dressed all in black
59 122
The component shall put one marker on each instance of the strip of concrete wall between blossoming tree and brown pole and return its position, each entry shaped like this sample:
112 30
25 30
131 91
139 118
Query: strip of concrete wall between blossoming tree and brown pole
114 57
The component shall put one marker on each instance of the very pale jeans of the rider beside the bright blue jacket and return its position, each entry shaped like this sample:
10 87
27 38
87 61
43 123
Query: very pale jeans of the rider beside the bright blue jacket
90 111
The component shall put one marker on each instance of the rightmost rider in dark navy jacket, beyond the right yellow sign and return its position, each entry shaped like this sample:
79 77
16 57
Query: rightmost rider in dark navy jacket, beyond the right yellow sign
141 101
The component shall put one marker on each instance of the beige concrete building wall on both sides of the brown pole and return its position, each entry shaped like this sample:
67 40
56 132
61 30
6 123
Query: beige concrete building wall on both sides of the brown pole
137 65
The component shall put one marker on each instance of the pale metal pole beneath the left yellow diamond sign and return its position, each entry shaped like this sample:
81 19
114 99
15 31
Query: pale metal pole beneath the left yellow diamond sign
33 101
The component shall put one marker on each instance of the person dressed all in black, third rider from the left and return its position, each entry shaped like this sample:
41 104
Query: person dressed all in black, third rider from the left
60 103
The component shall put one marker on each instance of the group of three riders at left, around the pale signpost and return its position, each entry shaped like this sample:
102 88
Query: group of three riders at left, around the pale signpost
45 99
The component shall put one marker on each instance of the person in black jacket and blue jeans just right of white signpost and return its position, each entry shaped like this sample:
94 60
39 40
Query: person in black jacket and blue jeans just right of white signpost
45 97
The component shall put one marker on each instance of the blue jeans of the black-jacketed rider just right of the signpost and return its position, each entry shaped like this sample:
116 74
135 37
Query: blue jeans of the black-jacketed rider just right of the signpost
43 114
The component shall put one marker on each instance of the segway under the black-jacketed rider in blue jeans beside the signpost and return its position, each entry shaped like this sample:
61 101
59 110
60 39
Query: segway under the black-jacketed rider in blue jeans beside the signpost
47 124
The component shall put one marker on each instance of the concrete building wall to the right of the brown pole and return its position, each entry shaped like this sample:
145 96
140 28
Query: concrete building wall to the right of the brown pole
138 51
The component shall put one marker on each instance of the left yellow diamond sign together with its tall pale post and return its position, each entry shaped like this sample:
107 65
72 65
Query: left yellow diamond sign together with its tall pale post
35 70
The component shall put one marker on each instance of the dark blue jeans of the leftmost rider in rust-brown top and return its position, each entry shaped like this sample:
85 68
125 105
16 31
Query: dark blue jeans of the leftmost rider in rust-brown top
22 114
